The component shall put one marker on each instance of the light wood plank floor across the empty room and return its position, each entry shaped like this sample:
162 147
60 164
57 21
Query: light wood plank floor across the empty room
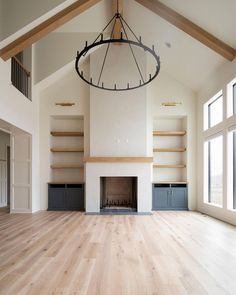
72 253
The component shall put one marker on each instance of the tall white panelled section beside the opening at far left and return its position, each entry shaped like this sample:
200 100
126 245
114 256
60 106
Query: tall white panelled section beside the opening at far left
21 173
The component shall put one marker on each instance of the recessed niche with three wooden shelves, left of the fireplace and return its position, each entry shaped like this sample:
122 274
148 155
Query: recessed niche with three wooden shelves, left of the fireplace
67 149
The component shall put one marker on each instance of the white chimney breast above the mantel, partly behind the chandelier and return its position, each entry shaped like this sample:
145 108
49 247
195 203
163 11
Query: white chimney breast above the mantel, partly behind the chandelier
118 124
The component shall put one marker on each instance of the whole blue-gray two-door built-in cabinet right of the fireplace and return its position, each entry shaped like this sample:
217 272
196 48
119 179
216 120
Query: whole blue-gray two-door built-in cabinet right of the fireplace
170 197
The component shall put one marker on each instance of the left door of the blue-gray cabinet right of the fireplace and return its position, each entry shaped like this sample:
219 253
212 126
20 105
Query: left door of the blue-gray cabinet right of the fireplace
160 198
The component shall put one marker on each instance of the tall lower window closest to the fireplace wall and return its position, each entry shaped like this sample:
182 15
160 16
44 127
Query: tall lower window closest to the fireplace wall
214 167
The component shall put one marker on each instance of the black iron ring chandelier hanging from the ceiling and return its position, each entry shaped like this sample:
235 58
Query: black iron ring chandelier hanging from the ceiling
124 39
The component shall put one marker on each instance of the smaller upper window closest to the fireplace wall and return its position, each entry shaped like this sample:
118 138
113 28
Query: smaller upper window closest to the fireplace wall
213 111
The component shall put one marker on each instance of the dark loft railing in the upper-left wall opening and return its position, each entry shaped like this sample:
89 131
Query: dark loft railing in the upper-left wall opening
20 76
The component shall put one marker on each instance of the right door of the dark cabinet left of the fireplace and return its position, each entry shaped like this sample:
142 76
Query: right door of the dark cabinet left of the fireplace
75 198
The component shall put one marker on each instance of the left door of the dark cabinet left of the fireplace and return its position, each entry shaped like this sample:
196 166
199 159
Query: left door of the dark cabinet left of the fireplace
56 198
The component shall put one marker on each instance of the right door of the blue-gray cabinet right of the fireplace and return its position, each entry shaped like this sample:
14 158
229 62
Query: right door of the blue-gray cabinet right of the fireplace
178 198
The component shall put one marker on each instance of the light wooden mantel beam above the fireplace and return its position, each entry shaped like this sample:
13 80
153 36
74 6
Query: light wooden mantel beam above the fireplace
118 160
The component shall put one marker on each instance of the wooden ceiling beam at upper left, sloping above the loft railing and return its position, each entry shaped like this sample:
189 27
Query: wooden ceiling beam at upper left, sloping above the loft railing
46 27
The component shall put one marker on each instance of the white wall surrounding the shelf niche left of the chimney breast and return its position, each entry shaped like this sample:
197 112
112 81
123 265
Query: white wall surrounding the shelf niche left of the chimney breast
64 85
